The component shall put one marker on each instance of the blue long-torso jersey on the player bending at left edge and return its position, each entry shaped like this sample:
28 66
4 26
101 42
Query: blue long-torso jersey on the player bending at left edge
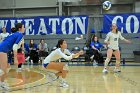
9 41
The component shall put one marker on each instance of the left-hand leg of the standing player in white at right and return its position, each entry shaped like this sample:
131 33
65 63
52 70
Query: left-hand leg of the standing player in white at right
109 55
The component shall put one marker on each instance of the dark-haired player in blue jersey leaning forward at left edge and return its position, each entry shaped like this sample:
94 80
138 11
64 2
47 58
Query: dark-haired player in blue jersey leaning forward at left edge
13 41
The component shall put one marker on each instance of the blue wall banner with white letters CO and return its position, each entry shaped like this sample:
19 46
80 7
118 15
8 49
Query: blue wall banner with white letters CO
127 23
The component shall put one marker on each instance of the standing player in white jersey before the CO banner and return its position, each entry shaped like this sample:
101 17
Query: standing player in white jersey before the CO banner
112 41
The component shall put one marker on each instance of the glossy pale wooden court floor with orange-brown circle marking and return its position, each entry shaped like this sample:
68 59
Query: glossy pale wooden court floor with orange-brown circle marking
82 79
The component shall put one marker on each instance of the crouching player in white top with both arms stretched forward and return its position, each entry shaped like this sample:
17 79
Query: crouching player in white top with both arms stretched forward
60 52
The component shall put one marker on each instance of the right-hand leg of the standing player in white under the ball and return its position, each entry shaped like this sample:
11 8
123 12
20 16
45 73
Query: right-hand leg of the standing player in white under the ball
117 56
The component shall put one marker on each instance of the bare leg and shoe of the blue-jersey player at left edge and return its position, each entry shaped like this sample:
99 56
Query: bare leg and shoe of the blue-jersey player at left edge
3 70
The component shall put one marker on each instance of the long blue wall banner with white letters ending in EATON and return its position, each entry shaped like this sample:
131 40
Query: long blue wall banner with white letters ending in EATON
49 25
